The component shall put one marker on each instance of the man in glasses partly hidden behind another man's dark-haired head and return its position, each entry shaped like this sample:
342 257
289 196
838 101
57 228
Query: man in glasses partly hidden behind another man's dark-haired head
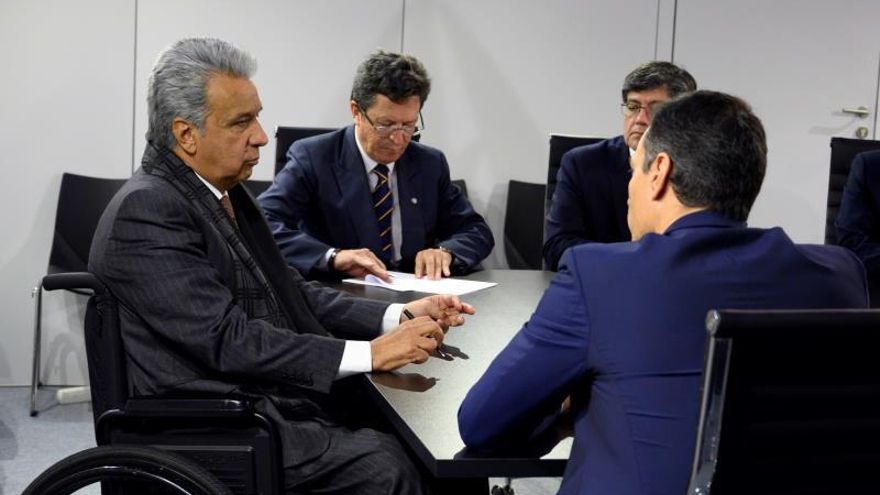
589 204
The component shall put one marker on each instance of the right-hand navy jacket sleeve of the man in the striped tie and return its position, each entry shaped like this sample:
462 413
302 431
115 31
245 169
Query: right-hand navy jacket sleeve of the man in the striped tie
461 229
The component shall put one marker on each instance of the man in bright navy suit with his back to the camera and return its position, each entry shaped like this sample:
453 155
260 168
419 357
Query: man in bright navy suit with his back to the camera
615 347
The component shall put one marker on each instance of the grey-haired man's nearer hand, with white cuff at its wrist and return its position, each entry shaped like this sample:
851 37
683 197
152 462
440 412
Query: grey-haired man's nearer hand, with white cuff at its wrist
411 342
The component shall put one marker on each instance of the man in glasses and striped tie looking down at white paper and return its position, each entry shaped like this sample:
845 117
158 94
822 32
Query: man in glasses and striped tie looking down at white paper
366 198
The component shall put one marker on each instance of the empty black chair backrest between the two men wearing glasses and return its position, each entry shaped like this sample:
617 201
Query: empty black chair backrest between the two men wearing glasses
524 225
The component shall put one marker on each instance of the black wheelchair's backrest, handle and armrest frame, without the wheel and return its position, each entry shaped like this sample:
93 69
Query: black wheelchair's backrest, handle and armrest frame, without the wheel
225 435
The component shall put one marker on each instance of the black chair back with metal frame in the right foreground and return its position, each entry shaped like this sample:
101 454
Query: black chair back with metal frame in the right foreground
791 403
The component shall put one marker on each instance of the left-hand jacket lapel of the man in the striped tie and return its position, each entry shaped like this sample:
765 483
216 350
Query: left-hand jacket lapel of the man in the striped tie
354 188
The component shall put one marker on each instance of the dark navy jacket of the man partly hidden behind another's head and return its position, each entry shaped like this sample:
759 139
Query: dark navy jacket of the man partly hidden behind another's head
589 204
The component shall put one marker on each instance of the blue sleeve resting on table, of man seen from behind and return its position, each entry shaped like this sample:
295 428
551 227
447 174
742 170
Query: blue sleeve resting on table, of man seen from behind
526 384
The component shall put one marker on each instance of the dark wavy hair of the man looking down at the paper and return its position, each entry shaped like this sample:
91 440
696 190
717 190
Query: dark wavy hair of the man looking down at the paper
394 75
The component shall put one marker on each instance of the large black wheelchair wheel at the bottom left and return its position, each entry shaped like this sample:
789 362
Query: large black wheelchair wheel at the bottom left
162 471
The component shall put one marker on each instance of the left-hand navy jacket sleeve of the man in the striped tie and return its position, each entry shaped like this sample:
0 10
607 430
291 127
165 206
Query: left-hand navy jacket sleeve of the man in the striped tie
289 201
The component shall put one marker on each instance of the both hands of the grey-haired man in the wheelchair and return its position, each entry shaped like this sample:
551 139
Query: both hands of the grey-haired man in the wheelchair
414 340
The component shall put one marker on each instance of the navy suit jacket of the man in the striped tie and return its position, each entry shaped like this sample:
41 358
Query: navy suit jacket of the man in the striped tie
321 200
